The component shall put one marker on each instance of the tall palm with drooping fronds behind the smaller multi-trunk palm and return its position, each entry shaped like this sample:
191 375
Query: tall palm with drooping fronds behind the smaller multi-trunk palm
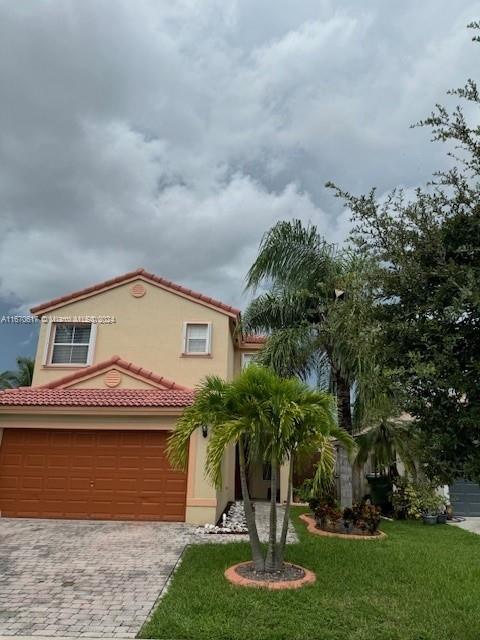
319 314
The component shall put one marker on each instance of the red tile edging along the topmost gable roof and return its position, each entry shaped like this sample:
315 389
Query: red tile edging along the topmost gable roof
131 275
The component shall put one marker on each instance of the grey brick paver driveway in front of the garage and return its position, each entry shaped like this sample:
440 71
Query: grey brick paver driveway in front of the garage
80 578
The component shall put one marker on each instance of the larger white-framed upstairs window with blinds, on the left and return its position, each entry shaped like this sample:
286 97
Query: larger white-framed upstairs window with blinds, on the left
71 343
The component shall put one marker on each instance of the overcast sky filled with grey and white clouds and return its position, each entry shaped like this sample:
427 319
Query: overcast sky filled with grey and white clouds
172 135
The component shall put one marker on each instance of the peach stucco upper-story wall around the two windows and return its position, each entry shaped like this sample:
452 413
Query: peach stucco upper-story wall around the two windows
148 331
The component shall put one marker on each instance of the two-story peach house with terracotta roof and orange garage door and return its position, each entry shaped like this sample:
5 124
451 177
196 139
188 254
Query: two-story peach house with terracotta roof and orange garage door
116 365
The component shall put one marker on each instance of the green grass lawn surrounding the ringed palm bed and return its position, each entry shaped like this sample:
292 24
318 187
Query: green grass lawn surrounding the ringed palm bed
421 583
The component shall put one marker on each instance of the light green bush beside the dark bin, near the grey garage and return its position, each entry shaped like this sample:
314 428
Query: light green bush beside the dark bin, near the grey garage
412 499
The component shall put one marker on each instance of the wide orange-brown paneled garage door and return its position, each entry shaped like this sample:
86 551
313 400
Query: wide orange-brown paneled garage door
112 475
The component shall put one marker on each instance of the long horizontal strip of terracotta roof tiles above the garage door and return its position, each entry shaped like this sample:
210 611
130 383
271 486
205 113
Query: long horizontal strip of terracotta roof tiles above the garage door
40 396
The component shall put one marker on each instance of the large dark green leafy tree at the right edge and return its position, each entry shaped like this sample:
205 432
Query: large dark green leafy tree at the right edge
428 281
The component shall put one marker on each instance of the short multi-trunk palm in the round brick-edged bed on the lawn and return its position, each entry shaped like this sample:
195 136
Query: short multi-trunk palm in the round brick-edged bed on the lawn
272 420
